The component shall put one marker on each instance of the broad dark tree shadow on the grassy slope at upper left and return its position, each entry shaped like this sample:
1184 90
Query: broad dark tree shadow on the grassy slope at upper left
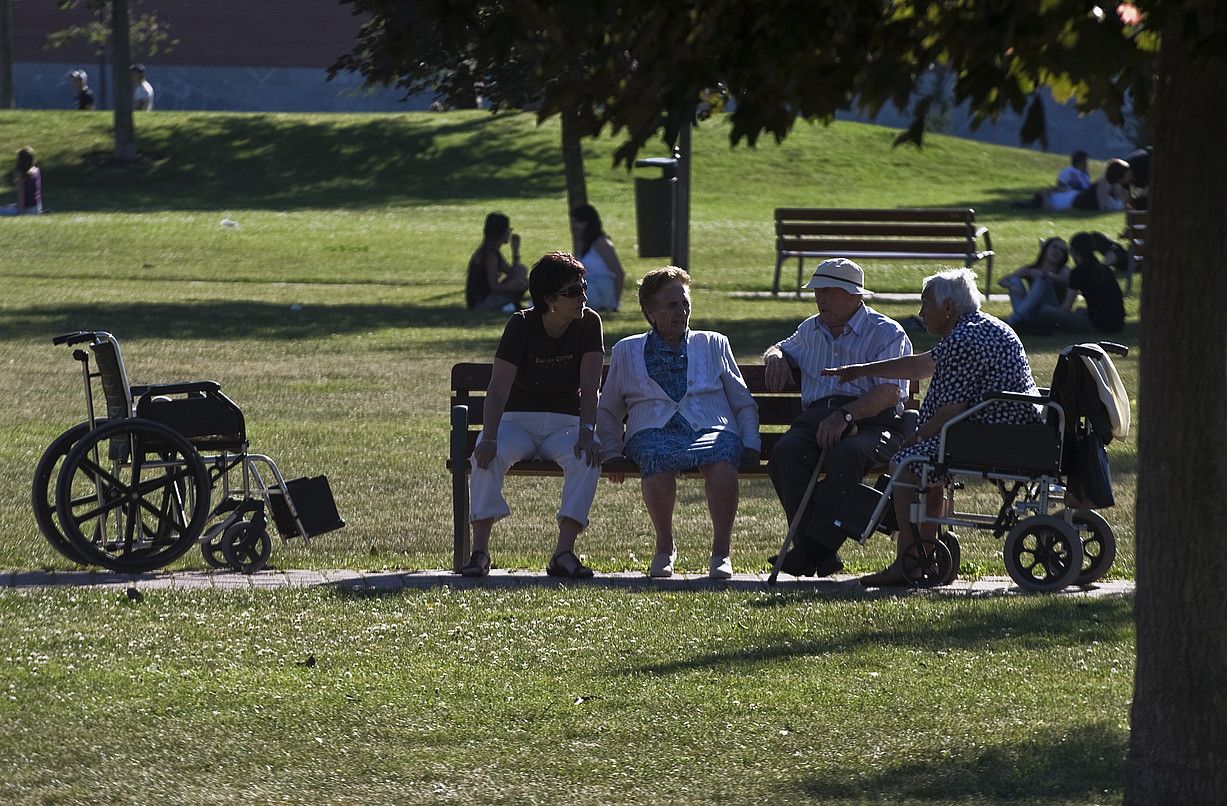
223 163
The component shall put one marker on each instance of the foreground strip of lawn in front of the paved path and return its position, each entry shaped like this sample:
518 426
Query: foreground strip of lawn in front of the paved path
561 696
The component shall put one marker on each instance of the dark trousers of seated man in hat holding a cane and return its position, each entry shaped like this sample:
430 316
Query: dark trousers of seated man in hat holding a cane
797 455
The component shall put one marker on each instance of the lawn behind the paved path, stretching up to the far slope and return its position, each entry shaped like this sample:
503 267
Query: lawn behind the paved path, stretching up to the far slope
333 313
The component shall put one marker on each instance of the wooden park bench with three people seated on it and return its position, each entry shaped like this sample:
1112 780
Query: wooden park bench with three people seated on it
469 381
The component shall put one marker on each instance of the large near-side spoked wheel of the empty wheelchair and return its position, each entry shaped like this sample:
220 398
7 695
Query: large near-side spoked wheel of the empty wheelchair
140 510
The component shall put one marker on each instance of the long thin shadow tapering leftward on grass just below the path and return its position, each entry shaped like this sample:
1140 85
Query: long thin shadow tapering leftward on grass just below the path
1045 624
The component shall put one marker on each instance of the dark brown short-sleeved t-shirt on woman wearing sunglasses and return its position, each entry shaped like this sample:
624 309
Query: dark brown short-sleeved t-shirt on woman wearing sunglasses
548 370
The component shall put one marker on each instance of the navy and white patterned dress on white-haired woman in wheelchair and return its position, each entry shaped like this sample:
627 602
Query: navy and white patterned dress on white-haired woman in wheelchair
981 356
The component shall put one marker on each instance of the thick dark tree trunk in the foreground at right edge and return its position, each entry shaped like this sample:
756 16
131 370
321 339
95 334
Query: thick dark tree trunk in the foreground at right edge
1179 743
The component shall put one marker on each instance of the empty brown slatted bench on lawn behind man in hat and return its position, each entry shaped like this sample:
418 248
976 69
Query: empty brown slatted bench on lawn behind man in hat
939 234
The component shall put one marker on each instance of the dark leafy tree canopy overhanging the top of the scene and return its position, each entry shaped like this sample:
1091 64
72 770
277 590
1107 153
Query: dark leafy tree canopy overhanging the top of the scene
640 67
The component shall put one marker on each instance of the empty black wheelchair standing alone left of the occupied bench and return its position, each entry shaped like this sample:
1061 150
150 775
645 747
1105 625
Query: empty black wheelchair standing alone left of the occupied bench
166 469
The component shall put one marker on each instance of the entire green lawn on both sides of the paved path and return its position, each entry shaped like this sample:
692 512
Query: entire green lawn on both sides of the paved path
333 315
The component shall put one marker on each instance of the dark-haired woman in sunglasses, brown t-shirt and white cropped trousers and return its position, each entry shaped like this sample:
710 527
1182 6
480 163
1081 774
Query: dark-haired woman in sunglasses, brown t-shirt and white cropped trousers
542 403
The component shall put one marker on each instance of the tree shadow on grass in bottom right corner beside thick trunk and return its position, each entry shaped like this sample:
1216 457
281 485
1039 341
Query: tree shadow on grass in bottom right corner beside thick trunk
1084 764
